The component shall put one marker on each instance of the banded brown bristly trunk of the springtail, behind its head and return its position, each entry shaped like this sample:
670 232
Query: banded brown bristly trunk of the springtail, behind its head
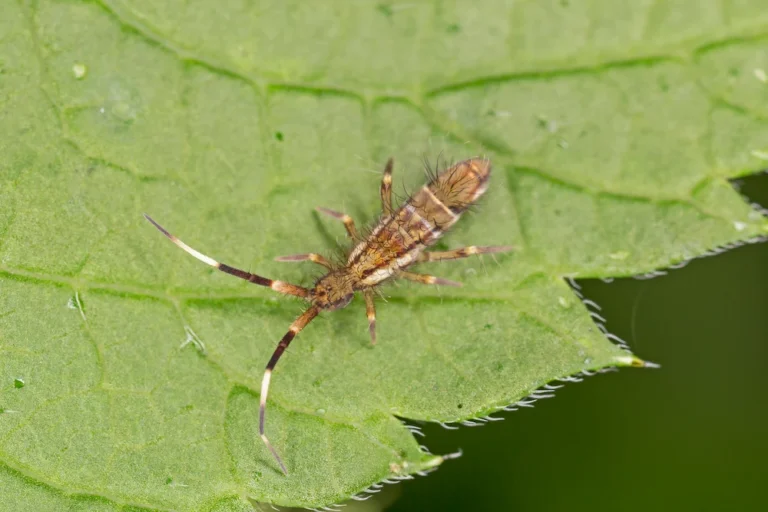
397 240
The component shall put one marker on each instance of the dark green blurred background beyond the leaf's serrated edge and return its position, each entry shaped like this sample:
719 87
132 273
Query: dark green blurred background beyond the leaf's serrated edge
690 436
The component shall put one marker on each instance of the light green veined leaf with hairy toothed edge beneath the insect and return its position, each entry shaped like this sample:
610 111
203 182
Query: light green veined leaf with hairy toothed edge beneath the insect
129 372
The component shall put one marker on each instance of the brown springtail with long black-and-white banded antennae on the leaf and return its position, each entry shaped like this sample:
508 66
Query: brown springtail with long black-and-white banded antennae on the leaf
394 244
